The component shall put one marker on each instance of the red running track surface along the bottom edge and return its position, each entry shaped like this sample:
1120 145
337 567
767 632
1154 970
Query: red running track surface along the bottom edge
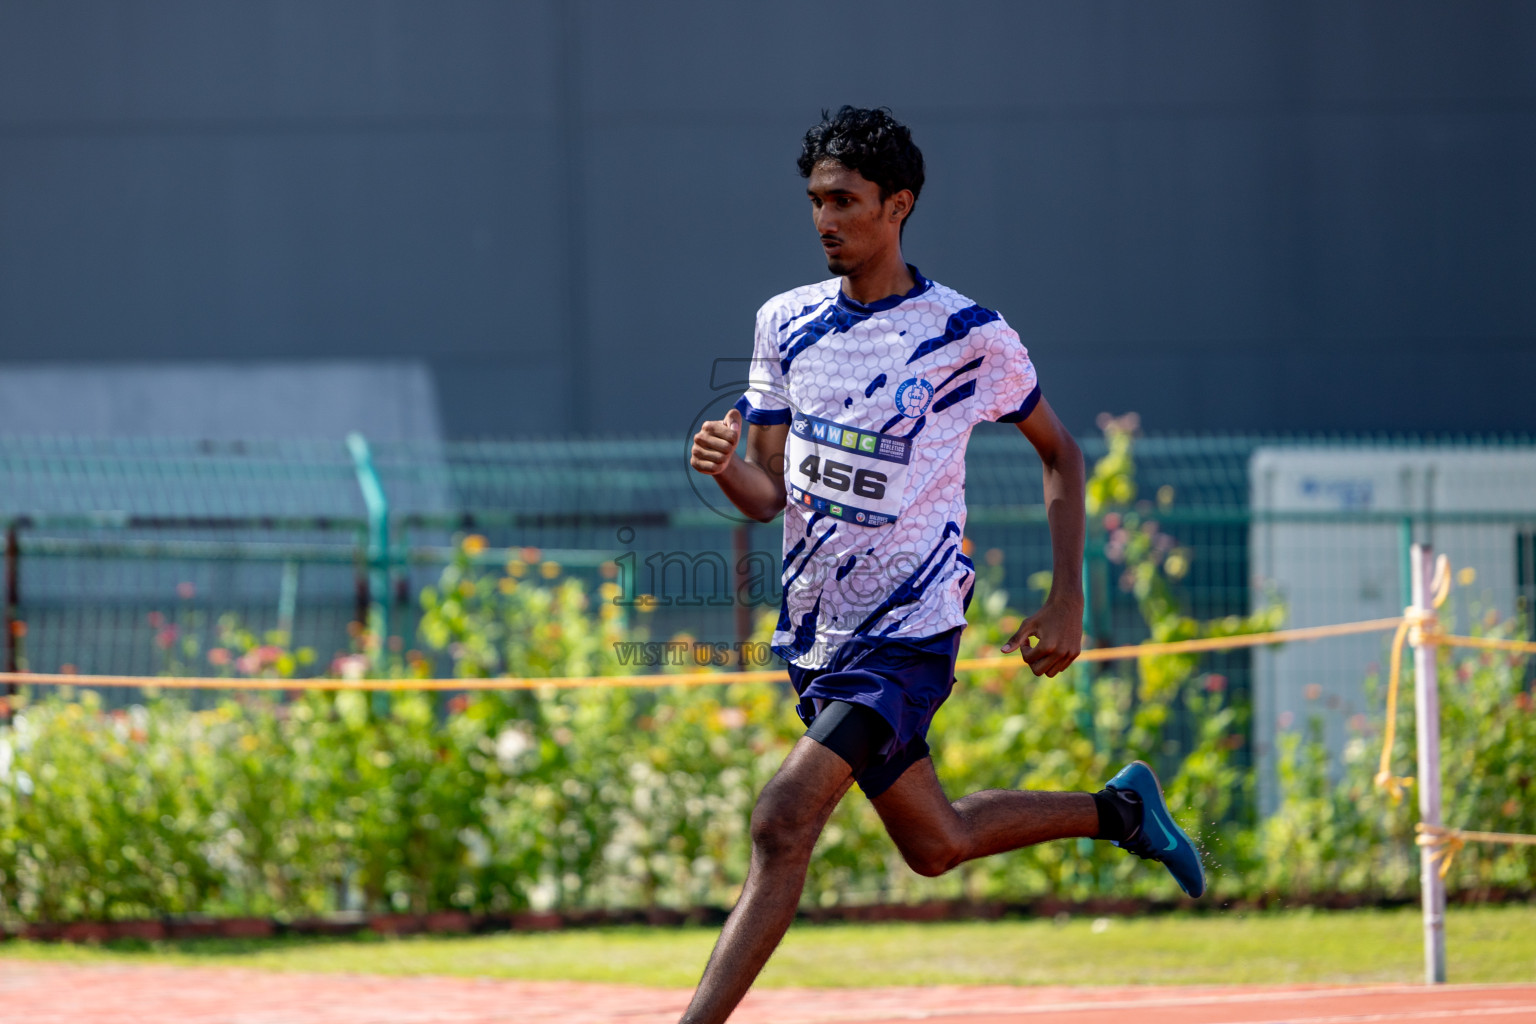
55 994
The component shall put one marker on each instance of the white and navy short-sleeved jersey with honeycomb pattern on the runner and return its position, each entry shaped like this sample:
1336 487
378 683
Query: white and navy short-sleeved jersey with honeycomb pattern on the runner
881 401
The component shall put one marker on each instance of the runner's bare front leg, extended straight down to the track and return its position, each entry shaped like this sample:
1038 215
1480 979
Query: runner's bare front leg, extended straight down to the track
792 813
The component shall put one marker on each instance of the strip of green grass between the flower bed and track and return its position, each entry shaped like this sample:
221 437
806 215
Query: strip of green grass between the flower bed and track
1486 945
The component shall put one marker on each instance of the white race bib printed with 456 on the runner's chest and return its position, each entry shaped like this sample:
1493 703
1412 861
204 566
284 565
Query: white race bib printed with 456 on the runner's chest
847 474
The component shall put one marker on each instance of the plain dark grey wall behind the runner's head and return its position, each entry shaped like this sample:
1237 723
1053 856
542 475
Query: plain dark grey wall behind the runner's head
1225 216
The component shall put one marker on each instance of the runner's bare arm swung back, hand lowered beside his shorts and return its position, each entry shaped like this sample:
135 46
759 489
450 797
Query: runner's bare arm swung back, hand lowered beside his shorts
1059 624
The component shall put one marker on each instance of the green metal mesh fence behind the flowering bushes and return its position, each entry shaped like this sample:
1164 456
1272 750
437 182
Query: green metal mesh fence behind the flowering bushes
107 543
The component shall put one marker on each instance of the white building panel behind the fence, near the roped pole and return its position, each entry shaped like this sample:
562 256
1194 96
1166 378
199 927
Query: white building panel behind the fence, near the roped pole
1329 538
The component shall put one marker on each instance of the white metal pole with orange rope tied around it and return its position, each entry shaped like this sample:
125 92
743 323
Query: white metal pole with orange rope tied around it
1426 718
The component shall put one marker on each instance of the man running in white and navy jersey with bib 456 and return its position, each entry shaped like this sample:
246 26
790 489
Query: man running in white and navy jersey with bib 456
864 392
